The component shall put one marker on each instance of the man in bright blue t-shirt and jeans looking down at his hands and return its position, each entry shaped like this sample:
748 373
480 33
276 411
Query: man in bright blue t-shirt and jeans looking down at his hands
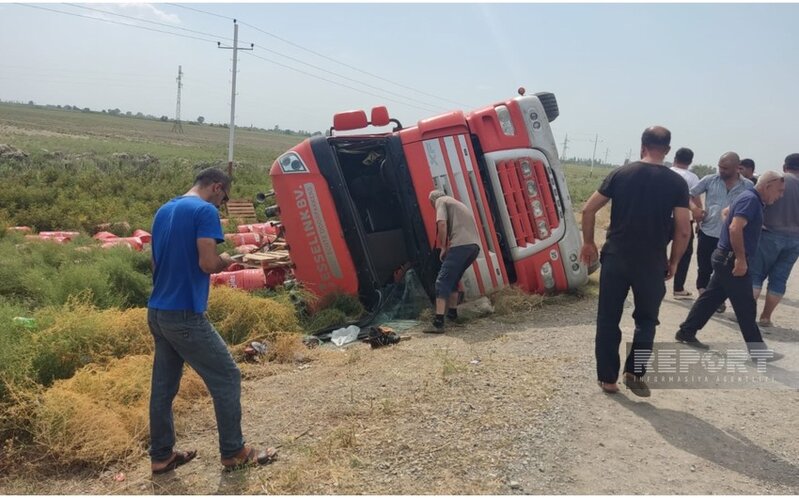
185 233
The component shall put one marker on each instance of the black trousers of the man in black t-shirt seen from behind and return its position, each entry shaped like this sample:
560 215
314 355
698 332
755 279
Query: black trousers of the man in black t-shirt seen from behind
619 274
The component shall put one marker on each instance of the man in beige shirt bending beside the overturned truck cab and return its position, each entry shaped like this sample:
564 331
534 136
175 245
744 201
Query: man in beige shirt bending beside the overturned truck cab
456 236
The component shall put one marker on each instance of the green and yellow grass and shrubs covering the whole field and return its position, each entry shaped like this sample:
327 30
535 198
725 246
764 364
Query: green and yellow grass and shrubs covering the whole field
72 313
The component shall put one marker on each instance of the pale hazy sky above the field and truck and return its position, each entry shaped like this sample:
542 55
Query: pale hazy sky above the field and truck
720 76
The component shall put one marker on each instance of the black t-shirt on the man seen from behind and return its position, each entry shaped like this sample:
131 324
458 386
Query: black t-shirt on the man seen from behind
644 196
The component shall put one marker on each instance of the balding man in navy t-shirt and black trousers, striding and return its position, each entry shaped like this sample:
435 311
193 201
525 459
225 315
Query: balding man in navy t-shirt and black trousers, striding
736 249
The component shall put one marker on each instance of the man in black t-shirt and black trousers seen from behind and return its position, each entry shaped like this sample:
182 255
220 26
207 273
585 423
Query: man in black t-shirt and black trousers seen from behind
646 196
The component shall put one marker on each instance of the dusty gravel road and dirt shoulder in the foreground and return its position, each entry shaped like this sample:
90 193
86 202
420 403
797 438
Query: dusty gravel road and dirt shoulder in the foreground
500 406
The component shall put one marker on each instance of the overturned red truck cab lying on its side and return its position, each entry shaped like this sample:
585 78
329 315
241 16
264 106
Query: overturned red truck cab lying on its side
355 206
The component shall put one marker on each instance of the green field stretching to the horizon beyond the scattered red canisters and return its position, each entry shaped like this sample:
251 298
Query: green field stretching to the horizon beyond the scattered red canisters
83 169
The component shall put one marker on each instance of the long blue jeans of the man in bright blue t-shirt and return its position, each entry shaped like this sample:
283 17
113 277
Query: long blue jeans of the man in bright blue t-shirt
185 336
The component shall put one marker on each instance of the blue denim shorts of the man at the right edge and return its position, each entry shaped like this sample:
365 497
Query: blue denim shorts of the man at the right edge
776 254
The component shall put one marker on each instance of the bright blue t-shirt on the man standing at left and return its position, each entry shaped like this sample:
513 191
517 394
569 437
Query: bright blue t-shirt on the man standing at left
179 284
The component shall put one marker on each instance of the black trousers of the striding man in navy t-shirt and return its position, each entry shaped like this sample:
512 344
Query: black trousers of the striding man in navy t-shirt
724 285
